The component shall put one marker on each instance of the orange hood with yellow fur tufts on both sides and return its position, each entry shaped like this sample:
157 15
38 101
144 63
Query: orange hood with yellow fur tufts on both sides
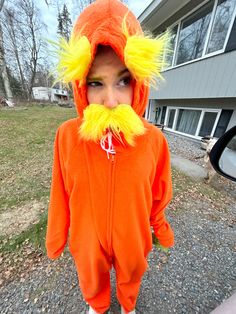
109 22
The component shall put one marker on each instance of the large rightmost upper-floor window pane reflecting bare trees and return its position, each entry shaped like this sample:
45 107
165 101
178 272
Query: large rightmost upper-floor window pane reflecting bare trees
223 16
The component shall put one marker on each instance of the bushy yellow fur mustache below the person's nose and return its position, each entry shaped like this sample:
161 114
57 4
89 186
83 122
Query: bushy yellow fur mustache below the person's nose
121 119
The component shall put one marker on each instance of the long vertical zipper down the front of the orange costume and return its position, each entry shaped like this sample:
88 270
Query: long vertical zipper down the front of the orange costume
110 203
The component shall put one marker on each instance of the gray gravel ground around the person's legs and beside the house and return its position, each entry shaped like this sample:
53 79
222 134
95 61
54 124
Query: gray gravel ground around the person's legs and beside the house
194 277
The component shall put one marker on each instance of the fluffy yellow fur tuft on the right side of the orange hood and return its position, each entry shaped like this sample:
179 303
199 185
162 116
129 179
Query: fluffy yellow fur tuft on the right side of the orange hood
144 55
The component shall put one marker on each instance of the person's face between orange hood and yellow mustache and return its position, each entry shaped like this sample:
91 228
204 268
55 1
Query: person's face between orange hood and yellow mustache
109 82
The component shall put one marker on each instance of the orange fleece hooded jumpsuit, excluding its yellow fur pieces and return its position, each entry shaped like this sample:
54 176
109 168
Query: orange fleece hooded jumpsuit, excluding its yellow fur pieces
107 205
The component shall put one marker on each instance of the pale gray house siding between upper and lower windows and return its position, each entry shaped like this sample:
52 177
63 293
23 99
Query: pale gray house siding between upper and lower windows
207 78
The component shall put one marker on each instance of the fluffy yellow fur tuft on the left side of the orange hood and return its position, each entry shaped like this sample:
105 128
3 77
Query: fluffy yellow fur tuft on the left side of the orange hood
74 58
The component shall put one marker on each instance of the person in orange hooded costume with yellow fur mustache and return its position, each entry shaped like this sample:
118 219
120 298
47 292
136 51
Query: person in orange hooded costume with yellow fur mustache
111 174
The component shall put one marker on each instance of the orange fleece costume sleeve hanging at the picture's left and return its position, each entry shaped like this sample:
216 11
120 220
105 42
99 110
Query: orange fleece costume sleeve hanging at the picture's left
58 212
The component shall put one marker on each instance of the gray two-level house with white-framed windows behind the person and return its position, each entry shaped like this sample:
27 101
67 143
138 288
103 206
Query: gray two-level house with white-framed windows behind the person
198 96
